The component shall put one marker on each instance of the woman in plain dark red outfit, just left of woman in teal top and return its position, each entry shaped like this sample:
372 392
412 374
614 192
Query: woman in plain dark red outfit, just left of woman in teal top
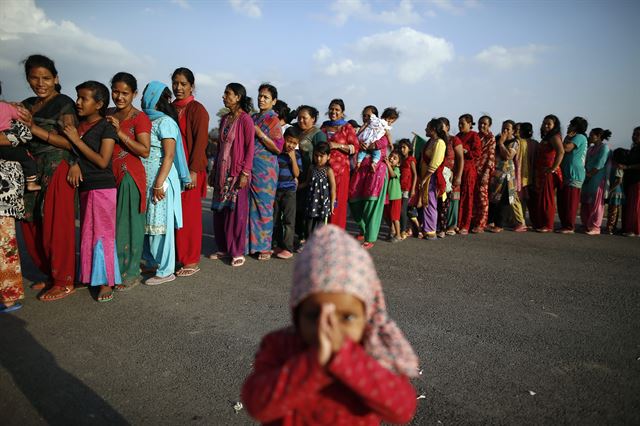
548 175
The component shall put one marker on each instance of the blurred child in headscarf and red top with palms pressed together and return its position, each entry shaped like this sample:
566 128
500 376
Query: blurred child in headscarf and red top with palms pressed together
344 361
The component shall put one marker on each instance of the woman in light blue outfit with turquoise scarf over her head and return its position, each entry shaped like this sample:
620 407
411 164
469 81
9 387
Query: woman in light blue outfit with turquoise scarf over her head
167 175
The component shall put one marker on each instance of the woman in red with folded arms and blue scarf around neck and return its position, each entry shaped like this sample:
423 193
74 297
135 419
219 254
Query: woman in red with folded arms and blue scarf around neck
344 143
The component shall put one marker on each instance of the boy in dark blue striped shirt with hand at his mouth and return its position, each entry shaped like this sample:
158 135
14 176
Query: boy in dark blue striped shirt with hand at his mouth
284 209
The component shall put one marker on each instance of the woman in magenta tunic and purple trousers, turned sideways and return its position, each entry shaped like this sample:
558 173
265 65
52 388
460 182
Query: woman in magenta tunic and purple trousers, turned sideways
231 176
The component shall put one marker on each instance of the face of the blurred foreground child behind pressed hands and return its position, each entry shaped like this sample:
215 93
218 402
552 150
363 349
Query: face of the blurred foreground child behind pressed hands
350 315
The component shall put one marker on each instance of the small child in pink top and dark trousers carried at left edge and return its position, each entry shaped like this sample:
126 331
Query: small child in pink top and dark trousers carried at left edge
18 134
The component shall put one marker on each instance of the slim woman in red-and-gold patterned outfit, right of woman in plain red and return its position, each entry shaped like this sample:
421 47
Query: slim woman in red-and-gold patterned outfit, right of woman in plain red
485 165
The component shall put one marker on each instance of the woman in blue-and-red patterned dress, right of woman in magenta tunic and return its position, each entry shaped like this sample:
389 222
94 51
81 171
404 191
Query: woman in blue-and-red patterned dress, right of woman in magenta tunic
264 178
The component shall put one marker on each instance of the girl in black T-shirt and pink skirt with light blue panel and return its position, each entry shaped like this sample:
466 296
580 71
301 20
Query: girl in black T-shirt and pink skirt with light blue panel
93 142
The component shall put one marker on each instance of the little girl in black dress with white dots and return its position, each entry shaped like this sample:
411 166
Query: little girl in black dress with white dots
321 184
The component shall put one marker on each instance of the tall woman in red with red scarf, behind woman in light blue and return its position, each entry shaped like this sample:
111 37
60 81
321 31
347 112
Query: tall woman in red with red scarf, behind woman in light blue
193 121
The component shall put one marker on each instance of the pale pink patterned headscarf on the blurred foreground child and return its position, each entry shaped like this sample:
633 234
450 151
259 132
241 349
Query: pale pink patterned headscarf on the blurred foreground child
321 268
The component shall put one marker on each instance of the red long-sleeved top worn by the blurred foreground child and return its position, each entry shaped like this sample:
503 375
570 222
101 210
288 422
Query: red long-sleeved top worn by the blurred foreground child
289 387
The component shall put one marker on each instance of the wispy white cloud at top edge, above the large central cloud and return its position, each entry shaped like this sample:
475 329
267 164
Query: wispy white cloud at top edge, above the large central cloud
403 14
